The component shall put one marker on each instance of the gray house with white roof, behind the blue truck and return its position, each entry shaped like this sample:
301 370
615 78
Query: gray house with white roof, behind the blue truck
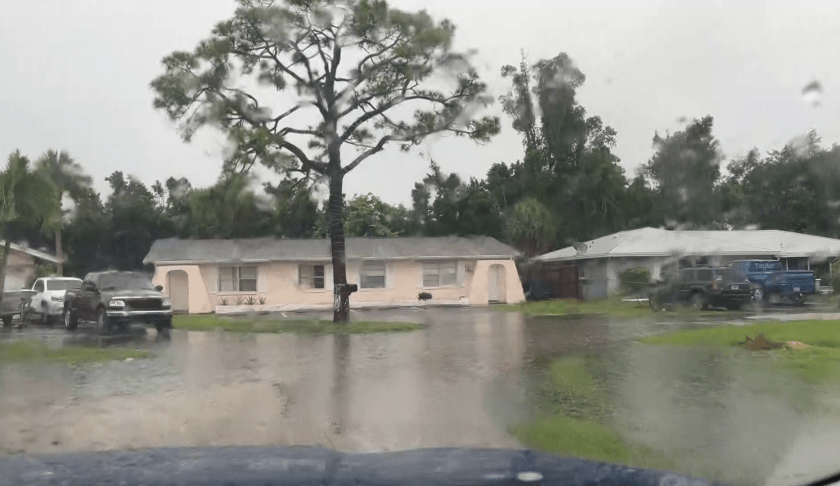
599 262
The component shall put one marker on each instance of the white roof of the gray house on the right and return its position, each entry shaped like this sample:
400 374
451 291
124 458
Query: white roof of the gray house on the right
646 242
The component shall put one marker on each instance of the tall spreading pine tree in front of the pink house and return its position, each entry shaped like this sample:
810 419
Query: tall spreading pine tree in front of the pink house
354 67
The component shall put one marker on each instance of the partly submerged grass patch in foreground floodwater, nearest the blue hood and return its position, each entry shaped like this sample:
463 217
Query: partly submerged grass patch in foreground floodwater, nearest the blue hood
576 421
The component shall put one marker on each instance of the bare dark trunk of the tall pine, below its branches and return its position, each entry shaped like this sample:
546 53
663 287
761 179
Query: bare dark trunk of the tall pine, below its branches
341 291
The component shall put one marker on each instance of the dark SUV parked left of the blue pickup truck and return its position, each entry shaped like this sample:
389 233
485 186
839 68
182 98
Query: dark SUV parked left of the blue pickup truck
702 287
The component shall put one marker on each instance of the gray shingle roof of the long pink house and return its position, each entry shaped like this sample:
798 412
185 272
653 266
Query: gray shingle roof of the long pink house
174 251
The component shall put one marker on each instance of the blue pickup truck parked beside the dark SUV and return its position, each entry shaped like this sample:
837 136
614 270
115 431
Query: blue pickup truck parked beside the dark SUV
770 282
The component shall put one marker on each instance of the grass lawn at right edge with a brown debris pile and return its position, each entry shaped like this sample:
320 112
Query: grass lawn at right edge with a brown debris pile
819 363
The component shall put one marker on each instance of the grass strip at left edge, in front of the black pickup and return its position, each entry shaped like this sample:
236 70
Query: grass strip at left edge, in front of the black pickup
28 351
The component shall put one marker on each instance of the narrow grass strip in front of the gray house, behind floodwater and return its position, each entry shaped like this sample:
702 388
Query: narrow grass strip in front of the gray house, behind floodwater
572 307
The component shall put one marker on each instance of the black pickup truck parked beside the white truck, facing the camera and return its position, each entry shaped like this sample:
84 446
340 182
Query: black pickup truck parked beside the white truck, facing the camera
116 299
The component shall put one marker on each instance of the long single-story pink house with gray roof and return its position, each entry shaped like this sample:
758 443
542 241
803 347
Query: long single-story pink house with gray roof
272 274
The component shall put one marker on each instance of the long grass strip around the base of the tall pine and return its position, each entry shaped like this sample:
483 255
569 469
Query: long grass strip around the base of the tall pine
212 322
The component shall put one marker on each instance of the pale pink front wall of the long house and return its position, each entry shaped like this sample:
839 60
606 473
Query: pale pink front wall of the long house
278 284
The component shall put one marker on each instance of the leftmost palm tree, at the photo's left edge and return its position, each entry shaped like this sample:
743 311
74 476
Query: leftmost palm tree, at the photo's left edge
24 196
